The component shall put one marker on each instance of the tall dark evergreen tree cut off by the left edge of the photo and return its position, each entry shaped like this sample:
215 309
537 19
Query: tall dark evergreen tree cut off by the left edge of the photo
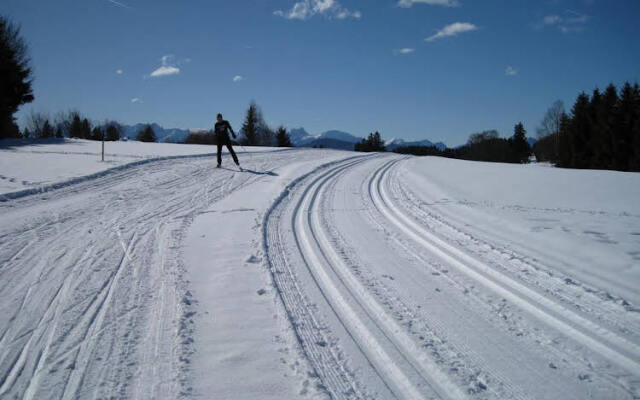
15 77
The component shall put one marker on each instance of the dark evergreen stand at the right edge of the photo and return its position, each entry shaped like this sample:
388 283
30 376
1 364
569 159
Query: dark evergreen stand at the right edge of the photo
602 131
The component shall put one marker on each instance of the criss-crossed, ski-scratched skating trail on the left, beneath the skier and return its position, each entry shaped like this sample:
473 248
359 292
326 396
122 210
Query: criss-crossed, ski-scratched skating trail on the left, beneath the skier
93 300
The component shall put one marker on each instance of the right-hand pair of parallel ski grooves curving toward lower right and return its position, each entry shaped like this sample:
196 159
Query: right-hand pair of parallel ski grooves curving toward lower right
590 333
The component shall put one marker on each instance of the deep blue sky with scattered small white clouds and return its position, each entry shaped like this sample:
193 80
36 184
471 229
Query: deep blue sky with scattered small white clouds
437 69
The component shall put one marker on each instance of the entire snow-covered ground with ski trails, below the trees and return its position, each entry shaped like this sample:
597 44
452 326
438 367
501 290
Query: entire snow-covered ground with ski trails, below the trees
316 274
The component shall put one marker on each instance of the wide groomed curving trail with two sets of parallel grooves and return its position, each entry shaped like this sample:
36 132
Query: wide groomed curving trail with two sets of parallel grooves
386 302
